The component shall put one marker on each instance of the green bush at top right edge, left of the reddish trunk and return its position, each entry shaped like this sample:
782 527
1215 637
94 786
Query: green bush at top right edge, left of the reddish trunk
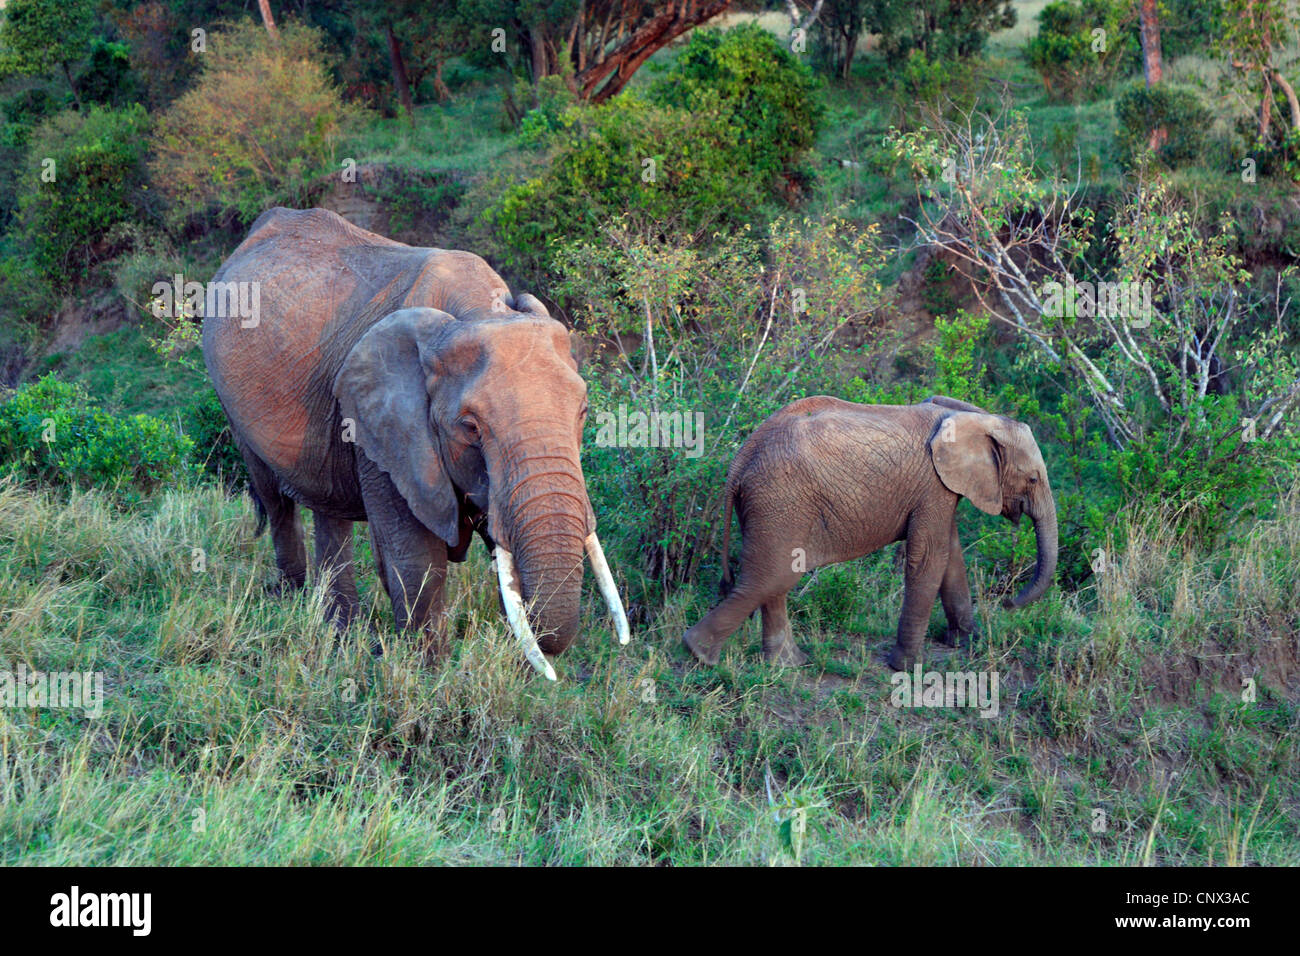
1082 46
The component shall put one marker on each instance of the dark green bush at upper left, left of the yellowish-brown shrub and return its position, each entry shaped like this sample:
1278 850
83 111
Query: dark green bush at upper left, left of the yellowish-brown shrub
86 175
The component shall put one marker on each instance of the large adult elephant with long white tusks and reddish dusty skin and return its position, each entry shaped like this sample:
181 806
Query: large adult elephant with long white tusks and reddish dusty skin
410 390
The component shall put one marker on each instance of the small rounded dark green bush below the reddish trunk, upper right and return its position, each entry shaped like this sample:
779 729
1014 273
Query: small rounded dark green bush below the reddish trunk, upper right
1180 110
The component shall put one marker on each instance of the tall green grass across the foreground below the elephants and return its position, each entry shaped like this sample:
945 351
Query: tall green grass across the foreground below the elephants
240 729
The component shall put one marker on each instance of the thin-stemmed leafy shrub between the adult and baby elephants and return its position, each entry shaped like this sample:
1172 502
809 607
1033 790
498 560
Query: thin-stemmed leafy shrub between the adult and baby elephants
727 336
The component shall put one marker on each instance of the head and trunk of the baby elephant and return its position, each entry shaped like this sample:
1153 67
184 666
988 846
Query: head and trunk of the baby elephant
995 464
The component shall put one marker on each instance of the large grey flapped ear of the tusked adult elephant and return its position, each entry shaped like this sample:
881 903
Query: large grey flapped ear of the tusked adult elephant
383 387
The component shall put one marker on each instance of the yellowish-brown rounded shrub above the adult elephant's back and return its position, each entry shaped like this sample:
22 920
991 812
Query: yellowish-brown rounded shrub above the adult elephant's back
261 122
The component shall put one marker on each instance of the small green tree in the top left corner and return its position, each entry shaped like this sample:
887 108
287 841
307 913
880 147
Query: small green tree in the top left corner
38 36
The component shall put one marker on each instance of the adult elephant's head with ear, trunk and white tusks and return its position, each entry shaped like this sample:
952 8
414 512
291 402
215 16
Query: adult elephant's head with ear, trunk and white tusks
479 426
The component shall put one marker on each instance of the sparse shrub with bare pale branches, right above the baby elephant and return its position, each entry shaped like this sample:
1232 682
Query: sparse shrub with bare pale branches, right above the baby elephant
1147 366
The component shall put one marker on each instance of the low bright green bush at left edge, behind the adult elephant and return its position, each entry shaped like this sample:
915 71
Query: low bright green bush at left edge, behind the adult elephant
51 434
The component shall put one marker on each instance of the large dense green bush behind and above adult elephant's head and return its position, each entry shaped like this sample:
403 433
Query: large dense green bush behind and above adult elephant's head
708 150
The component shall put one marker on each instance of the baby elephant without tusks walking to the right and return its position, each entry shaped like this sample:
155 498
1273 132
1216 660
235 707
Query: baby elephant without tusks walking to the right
826 481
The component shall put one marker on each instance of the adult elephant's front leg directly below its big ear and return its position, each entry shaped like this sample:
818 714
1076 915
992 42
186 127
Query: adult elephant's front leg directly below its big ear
411 560
